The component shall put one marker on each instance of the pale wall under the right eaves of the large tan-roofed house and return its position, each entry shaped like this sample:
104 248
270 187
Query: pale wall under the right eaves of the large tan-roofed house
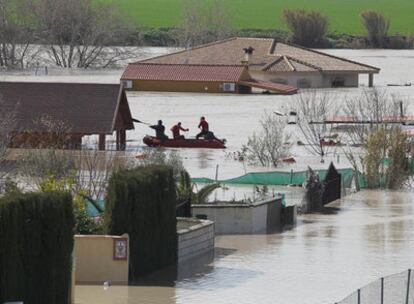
308 79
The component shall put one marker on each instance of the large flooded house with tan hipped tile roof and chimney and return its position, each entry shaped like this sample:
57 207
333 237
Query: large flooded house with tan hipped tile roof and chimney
271 61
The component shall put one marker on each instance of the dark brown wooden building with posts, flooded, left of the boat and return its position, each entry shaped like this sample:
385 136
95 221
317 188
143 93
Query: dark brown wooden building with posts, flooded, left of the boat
59 114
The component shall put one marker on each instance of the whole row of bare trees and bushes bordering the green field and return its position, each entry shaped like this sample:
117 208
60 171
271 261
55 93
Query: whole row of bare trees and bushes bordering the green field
82 34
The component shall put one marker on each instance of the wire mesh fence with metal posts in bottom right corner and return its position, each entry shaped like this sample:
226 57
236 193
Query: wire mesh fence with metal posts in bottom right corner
394 289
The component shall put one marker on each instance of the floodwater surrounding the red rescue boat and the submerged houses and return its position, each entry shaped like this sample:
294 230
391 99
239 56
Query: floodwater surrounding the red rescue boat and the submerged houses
234 117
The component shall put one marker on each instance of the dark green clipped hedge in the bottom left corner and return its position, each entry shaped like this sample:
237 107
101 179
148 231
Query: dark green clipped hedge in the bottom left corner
36 244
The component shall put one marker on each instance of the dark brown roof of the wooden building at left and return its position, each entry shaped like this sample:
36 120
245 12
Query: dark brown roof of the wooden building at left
82 108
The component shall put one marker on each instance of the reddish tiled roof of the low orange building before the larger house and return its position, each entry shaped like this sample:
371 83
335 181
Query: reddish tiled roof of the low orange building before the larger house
183 72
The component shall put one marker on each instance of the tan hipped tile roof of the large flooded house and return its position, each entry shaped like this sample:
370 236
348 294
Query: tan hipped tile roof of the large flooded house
268 55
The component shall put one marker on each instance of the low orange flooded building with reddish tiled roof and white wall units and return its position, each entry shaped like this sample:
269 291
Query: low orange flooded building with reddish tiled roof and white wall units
201 78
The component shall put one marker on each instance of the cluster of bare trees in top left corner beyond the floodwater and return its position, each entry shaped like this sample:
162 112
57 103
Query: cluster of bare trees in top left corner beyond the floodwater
72 33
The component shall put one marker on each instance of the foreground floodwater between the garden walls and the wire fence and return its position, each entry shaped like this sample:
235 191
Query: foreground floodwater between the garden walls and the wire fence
320 261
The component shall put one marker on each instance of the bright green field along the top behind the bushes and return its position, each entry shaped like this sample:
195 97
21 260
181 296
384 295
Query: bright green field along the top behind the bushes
266 14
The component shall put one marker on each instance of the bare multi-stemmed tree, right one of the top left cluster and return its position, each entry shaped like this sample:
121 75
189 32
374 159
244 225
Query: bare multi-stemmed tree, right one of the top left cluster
78 32
